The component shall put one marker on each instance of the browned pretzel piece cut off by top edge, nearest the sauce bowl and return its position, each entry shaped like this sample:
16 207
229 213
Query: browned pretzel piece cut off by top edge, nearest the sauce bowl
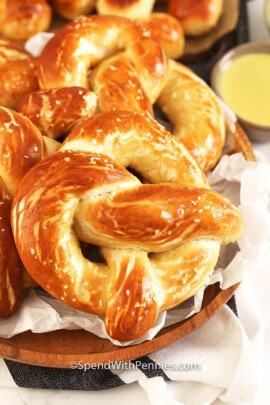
196 16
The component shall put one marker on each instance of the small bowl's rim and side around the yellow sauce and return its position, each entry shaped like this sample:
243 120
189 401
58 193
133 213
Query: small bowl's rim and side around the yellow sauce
255 132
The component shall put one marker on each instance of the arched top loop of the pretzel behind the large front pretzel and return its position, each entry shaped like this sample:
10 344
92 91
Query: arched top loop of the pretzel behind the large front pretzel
86 41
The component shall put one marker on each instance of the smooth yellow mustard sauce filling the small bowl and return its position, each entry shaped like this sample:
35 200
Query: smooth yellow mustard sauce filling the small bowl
245 87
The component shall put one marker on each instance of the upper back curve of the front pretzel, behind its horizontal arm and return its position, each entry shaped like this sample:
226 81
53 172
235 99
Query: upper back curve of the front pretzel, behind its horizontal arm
137 142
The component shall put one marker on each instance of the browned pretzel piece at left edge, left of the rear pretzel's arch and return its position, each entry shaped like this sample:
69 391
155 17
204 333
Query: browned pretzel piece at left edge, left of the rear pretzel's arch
17 71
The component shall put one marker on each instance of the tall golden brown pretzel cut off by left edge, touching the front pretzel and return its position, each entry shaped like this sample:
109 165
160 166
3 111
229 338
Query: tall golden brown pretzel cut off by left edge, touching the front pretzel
21 147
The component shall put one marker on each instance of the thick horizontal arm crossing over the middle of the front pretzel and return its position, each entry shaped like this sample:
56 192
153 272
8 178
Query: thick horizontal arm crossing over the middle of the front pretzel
169 215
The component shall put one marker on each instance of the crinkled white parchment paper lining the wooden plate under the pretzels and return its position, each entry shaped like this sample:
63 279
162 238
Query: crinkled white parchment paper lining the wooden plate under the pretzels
247 185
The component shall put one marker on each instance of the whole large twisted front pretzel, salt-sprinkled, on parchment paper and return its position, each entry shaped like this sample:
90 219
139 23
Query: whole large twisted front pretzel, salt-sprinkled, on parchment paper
158 242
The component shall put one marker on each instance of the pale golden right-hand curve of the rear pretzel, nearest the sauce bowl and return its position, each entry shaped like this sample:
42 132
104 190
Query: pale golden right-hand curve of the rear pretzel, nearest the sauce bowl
197 116
